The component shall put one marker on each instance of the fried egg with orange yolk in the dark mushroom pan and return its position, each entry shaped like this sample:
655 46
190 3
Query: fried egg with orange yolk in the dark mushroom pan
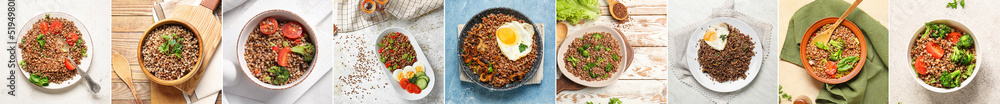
515 39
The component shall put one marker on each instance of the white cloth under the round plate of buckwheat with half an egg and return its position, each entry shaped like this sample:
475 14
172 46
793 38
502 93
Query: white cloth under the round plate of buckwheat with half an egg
680 70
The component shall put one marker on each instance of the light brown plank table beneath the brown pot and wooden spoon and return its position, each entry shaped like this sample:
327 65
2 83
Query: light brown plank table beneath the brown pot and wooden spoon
129 19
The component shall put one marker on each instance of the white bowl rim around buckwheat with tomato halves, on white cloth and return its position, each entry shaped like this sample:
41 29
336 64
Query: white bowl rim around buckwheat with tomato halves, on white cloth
278 15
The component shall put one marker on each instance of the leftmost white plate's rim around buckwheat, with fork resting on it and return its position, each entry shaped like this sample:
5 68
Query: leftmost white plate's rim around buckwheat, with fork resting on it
84 63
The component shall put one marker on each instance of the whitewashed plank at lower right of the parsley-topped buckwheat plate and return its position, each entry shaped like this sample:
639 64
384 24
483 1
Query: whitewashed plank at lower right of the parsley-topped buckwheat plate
647 63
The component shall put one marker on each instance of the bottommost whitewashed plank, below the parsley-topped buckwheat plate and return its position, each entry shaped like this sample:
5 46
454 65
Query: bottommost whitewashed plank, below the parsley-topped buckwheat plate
628 91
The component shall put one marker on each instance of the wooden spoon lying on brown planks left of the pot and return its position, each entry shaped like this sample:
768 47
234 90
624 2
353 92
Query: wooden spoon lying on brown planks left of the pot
120 65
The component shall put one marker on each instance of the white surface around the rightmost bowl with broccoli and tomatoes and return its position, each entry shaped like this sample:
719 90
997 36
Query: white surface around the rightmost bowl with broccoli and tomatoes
910 15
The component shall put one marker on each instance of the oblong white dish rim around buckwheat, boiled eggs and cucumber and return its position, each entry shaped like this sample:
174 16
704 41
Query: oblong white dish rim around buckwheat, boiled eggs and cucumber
420 59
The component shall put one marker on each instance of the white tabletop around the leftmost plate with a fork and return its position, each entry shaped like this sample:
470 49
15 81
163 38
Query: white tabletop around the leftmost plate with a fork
96 17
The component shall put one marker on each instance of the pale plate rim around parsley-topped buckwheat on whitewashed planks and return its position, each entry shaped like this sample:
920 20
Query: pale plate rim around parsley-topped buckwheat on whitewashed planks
577 34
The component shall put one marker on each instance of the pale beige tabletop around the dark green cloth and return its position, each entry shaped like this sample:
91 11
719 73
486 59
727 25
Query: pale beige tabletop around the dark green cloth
793 78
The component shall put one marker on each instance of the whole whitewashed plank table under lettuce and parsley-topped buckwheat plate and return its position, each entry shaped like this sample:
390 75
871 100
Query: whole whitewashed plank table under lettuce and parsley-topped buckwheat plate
645 81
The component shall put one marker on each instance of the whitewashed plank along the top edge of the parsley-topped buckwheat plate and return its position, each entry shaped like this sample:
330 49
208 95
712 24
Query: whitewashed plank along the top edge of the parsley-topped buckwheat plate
640 30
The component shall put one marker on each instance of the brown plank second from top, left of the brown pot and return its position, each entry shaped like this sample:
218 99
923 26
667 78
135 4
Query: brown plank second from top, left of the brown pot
137 23
